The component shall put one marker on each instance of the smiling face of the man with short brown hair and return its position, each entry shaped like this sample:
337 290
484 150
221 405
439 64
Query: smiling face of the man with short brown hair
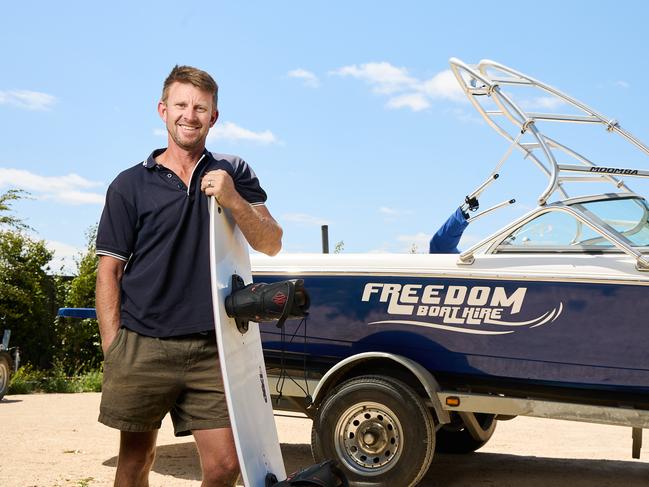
189 113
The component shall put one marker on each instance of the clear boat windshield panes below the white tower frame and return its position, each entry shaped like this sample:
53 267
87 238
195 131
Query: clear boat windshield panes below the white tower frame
557 229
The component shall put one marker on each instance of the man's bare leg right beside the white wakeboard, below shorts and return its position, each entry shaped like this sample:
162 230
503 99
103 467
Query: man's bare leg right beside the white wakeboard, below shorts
218 453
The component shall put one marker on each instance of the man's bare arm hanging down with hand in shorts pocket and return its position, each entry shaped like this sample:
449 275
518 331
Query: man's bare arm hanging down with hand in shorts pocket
107 298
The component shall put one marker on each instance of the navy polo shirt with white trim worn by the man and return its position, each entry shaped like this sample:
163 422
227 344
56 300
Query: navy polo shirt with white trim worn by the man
160 227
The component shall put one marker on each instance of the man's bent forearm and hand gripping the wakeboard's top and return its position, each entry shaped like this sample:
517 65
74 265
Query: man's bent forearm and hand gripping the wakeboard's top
256 223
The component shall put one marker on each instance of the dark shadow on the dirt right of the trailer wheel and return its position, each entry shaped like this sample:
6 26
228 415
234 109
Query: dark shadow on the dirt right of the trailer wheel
494 469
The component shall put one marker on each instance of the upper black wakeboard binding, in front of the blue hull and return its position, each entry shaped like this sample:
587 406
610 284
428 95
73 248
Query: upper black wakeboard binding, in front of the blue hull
259 301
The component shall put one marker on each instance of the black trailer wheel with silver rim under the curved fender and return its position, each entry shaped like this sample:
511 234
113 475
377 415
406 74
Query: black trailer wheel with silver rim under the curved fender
378 429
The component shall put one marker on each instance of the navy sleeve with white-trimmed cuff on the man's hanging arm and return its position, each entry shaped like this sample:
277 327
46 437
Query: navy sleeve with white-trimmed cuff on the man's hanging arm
116 231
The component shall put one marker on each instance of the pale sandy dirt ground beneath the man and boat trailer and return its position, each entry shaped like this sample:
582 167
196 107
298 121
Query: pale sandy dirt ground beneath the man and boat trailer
55 440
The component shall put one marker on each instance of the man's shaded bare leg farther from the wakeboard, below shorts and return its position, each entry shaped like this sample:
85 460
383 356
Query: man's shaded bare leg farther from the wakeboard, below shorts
136 455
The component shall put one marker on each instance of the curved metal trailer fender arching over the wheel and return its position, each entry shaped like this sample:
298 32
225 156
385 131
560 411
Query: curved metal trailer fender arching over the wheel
428 382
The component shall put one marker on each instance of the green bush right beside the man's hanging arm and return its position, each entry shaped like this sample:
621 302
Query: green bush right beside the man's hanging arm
78 341
